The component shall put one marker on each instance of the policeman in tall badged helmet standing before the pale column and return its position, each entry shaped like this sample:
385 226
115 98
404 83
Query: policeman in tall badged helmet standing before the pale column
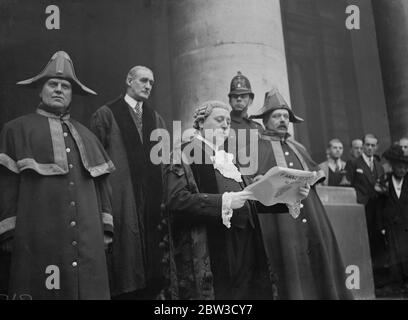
242 127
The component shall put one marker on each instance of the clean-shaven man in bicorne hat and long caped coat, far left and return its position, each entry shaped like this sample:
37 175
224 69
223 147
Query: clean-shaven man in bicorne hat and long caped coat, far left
55 212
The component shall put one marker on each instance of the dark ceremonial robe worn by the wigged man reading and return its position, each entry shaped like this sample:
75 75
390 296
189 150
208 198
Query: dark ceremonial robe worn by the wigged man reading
207 260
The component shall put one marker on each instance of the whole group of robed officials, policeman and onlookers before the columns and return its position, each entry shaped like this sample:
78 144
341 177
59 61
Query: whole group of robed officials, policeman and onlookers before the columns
85 214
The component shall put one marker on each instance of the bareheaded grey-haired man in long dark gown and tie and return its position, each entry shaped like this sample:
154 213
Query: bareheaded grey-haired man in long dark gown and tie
124 126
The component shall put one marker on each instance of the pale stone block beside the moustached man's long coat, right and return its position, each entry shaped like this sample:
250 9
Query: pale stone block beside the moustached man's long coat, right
349 224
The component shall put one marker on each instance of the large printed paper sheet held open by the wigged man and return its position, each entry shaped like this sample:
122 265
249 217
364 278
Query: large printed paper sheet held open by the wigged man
281 185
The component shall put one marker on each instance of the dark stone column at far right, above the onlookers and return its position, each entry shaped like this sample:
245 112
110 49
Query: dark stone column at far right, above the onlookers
391 19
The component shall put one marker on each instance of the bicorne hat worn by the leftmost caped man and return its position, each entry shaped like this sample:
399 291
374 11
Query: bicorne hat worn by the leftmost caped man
60 66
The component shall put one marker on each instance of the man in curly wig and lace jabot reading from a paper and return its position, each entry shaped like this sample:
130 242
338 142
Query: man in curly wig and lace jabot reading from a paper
215 246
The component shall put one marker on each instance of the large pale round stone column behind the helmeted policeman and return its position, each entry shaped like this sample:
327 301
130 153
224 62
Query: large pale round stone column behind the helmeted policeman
210 40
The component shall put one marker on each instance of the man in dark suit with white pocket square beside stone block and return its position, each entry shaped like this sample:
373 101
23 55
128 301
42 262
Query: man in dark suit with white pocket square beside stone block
364 173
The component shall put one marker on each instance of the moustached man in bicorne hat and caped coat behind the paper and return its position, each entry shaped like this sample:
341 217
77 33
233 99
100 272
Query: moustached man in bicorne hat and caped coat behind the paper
301 246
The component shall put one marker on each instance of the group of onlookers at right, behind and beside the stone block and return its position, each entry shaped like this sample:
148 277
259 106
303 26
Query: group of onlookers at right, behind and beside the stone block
380 186
